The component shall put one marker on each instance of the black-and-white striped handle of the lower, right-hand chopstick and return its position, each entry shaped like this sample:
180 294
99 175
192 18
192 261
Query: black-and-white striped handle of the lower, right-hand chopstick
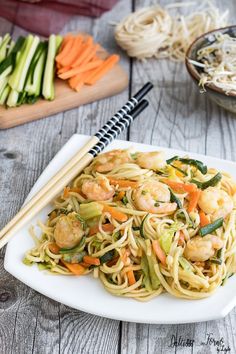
116 130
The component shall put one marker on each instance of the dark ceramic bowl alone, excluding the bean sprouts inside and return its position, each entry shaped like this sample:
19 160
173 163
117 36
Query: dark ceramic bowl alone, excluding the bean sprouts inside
227 101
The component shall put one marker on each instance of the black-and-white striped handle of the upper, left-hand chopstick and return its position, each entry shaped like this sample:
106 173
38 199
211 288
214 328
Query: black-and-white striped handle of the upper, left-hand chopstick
128 107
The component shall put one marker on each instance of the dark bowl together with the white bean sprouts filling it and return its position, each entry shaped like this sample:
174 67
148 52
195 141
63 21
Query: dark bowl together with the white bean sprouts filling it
211 62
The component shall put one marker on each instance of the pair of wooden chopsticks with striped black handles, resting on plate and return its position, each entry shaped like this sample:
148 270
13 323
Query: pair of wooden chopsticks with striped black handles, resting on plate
113 127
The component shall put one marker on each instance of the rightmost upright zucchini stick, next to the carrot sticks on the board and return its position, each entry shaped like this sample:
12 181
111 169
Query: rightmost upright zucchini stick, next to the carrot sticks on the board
48 79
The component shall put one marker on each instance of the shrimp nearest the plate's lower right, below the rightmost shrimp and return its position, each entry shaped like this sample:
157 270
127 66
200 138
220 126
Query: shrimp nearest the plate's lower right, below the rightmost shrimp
200 249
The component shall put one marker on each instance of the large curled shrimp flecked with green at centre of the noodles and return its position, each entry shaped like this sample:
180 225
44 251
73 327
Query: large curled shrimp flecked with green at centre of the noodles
154 197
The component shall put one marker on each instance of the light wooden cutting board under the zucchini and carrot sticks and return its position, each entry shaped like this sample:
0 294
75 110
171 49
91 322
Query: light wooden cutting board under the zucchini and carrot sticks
115 81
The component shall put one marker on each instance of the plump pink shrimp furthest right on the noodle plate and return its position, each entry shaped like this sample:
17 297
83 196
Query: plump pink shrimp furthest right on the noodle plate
216 202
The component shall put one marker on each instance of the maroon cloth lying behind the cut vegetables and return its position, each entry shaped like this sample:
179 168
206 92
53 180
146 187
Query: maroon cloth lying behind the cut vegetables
47 16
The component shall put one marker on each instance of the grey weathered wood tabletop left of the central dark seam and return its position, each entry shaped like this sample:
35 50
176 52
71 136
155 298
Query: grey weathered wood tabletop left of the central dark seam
35 323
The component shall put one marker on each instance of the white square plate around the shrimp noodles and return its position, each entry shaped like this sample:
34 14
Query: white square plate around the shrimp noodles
87 294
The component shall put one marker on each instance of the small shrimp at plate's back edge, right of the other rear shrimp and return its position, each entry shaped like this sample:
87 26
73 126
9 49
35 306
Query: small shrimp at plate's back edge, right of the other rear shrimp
151 160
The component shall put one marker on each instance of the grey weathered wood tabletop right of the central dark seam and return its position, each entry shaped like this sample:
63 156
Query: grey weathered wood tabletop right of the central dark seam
181 118
